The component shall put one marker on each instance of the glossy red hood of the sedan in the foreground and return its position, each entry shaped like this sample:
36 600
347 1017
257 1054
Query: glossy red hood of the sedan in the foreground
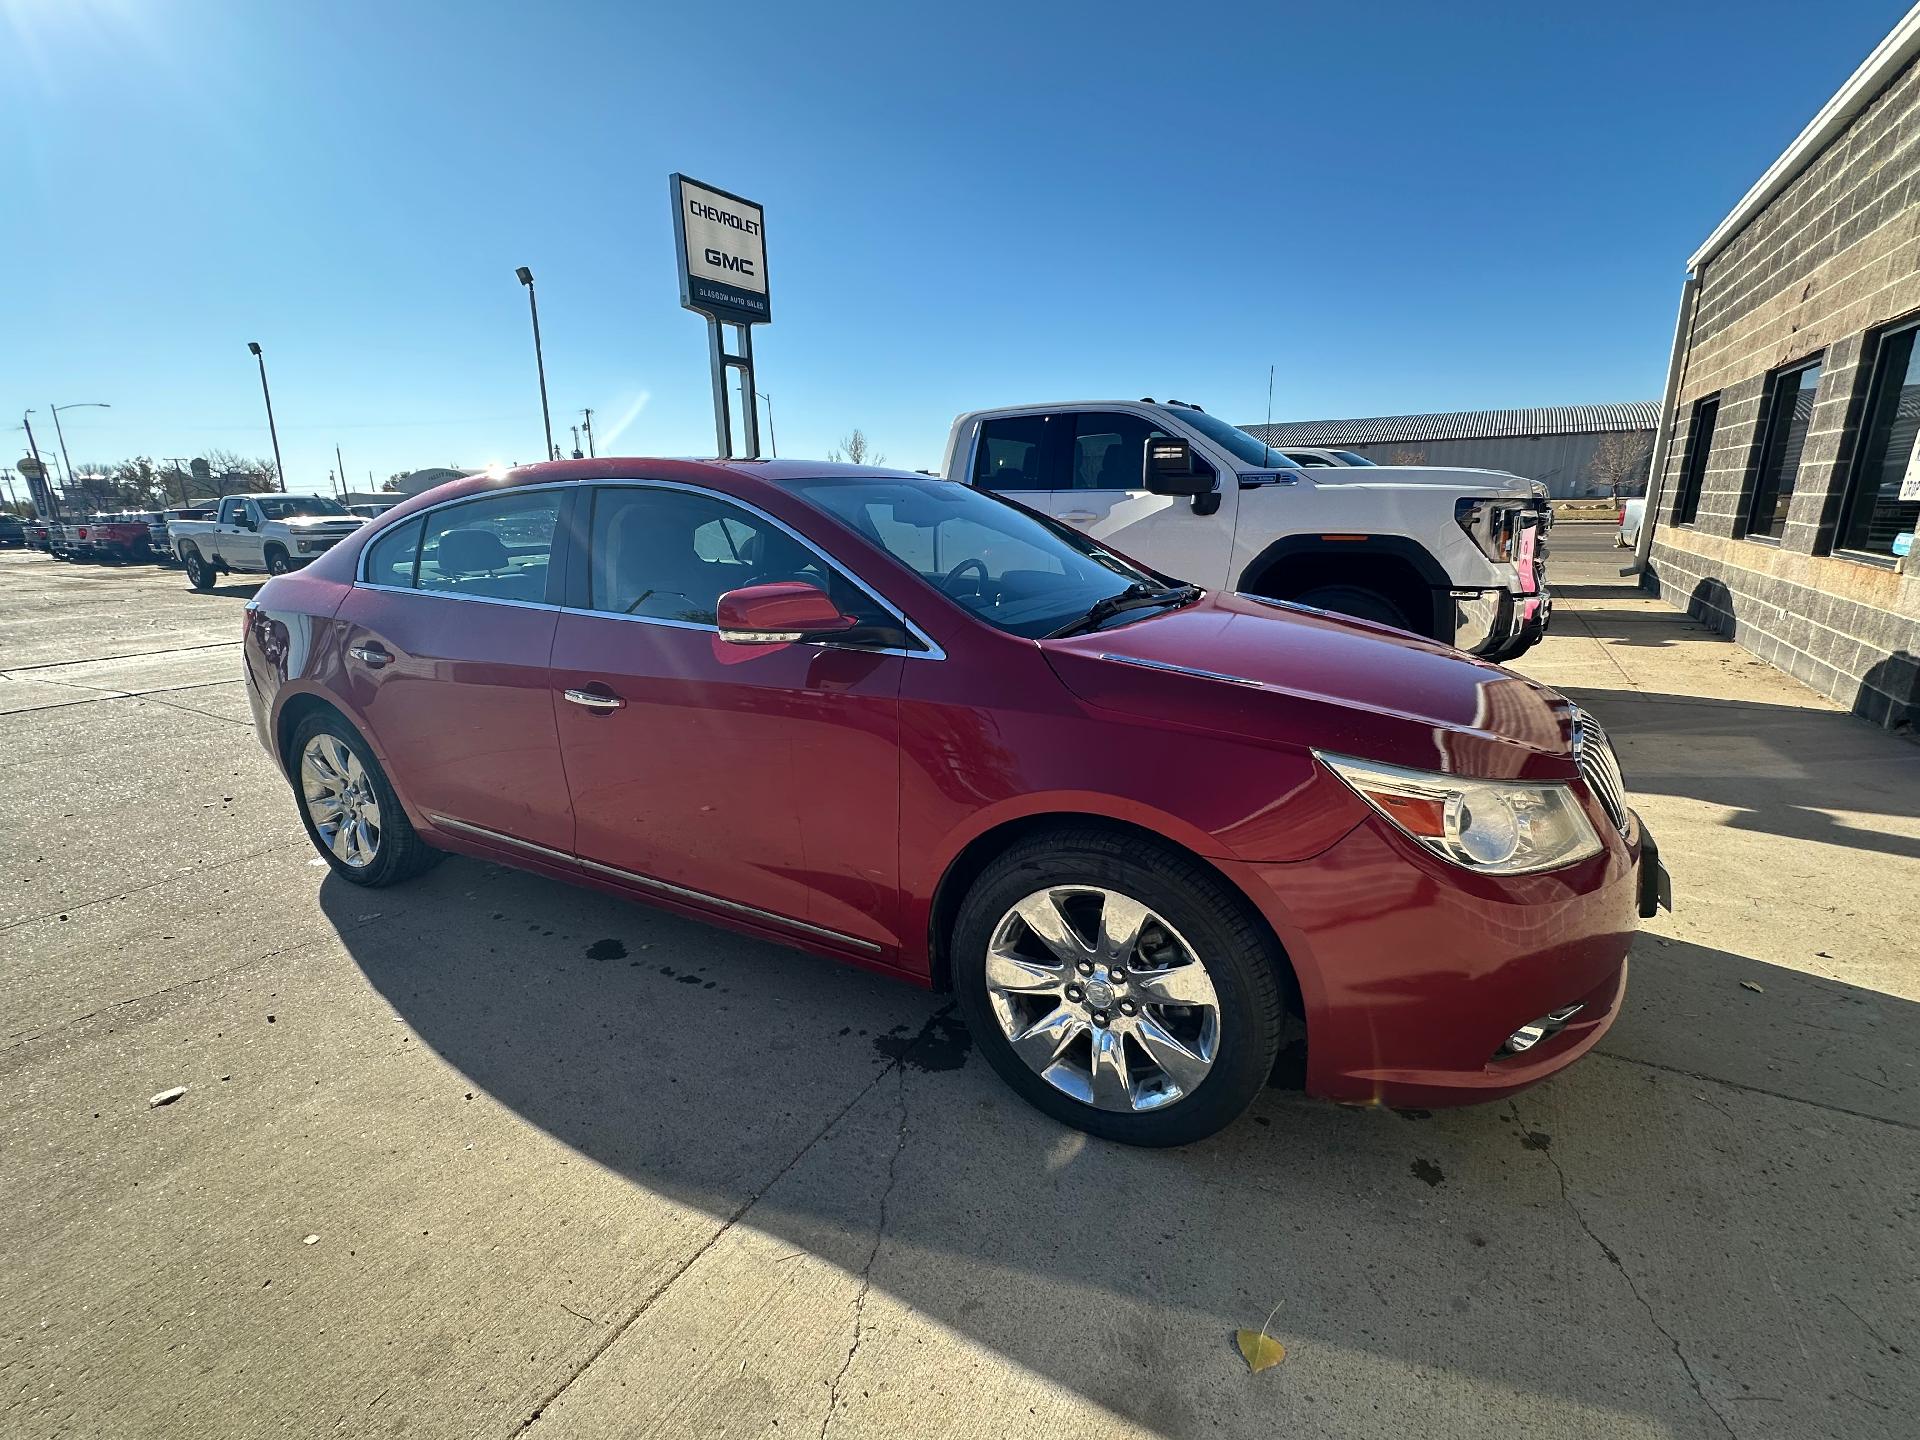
1299 677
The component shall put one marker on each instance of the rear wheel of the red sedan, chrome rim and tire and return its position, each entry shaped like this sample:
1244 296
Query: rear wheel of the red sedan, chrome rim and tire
350 809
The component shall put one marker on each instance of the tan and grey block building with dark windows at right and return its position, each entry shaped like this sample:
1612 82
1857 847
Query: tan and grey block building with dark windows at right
1794 402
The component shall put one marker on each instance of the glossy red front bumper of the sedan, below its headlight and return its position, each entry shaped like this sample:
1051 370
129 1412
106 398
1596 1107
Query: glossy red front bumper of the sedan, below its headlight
1416 972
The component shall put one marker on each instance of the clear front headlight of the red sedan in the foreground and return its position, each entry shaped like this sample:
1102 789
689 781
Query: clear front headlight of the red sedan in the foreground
1495 827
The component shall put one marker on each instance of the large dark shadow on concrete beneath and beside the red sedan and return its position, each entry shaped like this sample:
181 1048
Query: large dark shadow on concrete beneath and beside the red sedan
1527 1243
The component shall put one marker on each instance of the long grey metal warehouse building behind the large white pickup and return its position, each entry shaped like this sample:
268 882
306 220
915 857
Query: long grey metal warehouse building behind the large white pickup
1575 450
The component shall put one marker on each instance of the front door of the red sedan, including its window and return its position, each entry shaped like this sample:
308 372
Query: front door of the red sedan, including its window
759 779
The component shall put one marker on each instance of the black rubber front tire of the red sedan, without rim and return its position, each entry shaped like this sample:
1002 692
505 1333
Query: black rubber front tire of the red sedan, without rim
1239 953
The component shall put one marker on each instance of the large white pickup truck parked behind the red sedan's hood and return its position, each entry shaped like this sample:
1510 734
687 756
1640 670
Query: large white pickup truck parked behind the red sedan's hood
1447 554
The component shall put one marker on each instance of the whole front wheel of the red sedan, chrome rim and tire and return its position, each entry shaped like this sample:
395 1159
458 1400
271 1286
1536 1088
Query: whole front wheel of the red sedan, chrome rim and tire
1118 986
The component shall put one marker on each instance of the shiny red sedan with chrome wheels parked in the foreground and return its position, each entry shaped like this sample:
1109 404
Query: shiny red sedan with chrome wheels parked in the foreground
1149 836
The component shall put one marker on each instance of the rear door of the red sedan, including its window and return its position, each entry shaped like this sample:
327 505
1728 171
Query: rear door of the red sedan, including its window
446 635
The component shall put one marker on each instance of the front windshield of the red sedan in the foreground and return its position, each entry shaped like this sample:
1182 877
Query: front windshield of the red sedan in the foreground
1013 569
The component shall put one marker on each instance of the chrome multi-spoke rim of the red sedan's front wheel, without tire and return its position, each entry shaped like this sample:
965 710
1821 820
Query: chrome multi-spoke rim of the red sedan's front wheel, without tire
1103 999
